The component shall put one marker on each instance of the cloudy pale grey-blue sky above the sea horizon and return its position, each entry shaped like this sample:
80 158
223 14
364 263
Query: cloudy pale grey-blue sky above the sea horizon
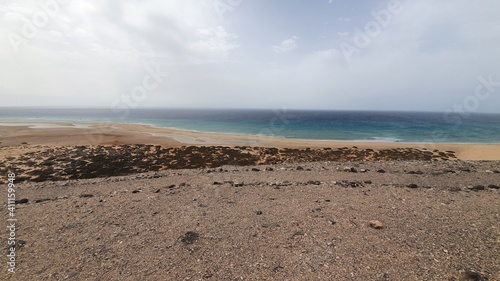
408 55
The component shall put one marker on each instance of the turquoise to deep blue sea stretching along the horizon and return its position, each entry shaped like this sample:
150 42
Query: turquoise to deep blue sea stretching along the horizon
294 124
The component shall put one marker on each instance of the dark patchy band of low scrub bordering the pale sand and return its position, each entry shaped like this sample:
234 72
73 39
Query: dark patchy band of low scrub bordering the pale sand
41 163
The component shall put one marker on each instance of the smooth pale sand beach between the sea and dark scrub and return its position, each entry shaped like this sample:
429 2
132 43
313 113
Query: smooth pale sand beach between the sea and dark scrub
65 134
